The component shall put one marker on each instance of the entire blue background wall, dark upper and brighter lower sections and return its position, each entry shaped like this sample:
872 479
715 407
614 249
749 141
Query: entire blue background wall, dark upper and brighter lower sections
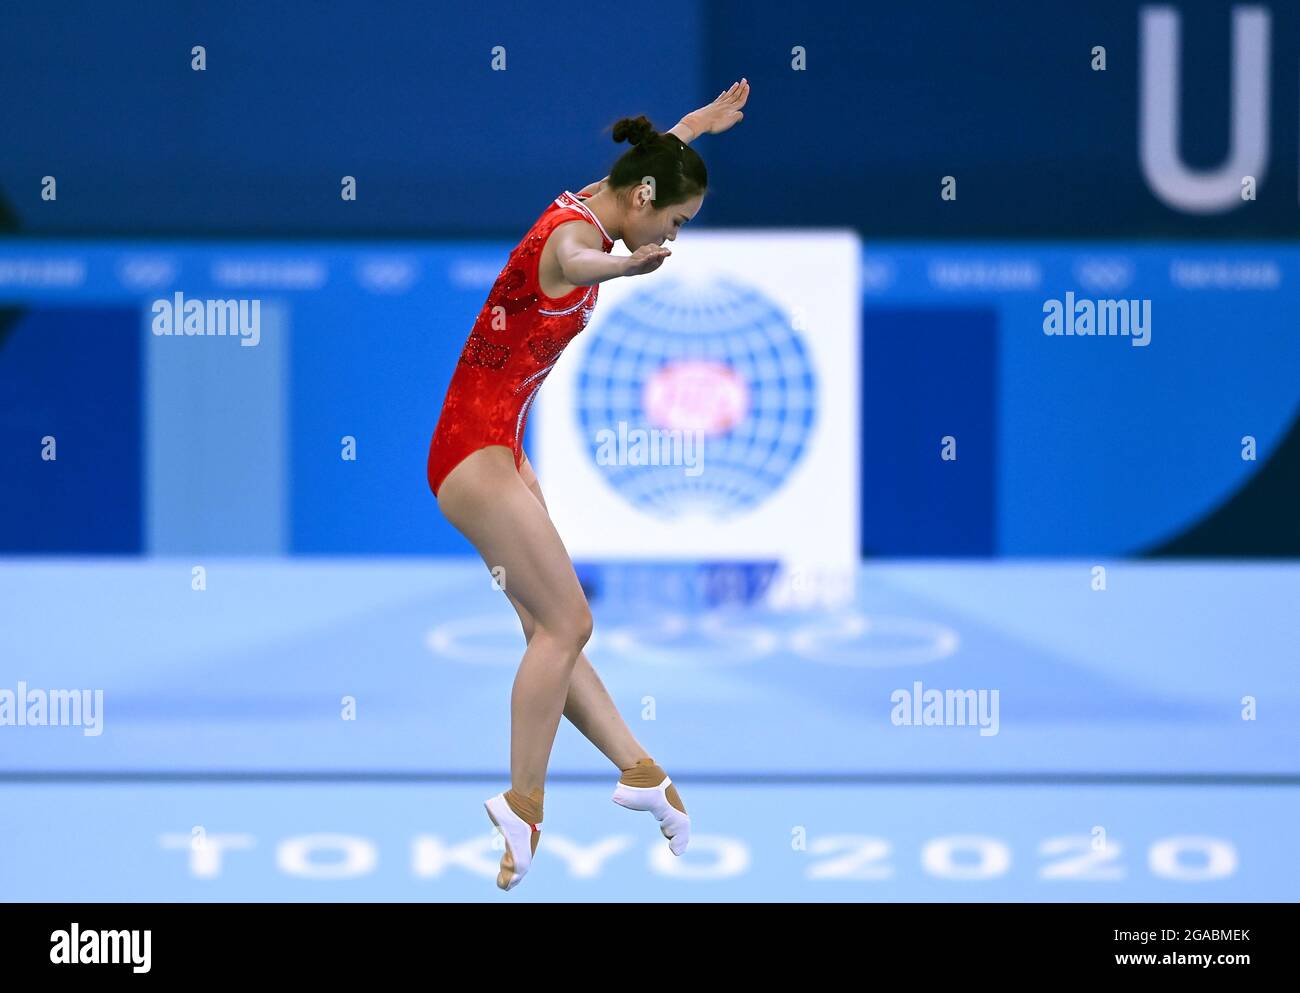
163 172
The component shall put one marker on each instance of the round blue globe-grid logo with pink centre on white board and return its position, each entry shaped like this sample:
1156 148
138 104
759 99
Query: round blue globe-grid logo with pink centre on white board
717 361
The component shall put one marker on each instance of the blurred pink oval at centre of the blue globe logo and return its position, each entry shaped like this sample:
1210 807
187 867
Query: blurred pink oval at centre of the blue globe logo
696 396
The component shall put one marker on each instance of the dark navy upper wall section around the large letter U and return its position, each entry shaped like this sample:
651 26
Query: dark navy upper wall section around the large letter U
894 97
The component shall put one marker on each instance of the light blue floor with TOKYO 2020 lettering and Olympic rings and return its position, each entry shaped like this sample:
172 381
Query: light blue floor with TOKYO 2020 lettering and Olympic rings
252 675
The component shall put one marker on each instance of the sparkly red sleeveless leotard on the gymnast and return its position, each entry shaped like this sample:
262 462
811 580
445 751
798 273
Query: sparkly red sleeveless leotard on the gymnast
513 346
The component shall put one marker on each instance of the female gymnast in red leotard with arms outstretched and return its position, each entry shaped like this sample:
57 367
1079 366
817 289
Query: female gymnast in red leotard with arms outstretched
487 488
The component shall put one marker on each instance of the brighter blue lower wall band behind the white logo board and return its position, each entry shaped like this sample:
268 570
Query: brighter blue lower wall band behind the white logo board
1067 446
